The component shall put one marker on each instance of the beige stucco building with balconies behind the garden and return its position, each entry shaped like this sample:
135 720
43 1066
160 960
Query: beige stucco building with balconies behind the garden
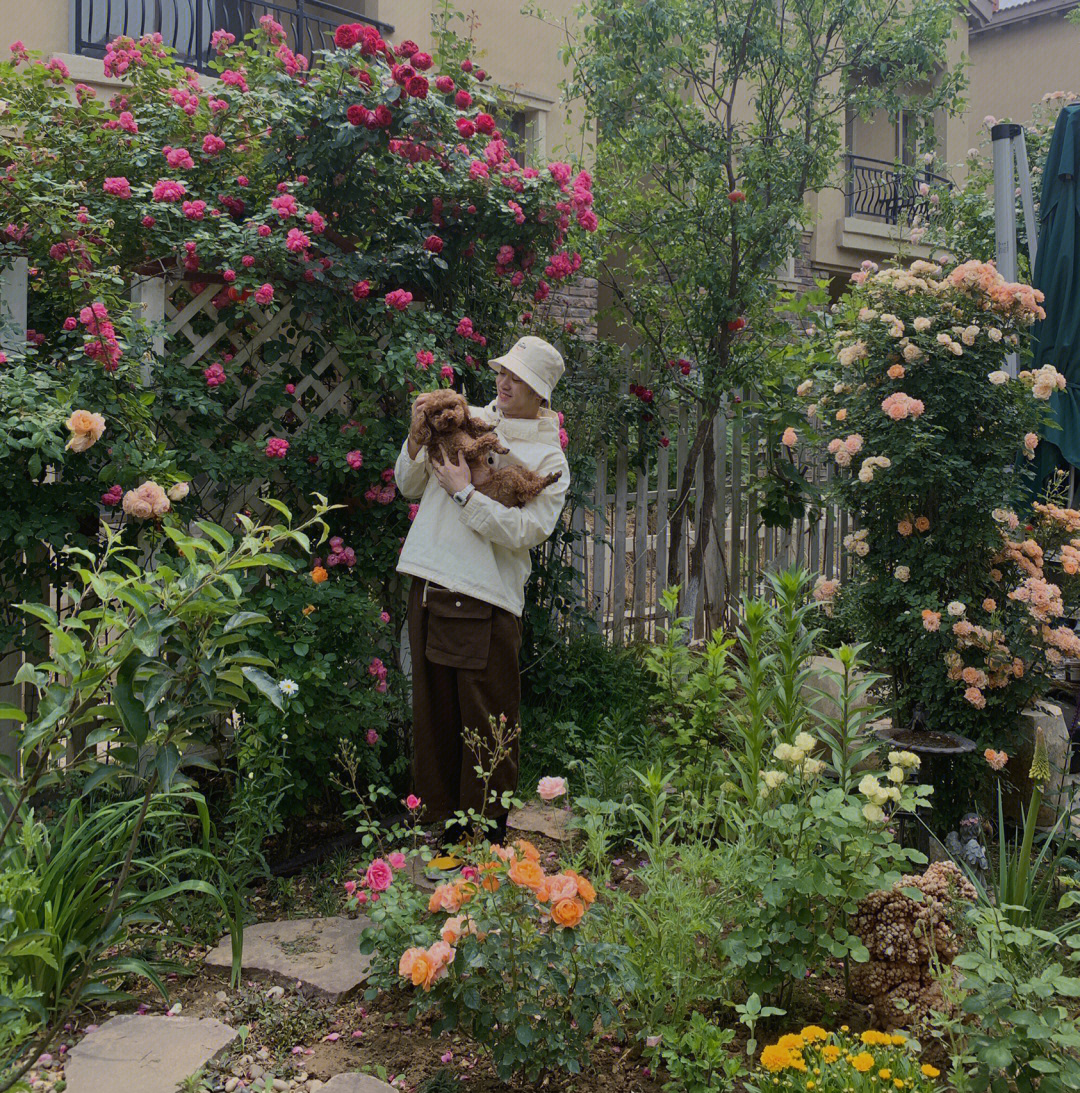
1017 51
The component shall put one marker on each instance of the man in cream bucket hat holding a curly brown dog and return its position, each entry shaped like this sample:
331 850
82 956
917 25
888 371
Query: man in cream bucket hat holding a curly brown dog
469 560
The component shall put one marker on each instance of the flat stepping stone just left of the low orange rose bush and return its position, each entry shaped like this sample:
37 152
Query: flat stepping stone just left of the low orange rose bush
323 954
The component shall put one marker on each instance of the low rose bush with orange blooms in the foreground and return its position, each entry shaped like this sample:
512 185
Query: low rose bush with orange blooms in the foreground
508 960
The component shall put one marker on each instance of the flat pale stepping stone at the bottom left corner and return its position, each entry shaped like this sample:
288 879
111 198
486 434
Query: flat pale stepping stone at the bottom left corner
149 1054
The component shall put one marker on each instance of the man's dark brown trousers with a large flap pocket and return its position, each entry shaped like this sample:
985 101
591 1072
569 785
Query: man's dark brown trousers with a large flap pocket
465 671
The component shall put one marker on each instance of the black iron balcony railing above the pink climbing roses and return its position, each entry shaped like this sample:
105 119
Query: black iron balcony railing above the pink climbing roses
186 26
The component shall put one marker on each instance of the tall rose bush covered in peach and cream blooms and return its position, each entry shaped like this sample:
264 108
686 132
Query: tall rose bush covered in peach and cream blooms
930 438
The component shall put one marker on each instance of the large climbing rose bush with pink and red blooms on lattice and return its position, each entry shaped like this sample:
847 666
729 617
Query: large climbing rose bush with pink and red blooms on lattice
336 237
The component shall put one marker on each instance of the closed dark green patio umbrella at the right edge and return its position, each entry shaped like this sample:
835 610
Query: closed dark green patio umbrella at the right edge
1058 275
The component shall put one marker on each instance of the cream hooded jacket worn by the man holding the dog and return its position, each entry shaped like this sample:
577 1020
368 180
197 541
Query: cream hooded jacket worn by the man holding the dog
483 549
